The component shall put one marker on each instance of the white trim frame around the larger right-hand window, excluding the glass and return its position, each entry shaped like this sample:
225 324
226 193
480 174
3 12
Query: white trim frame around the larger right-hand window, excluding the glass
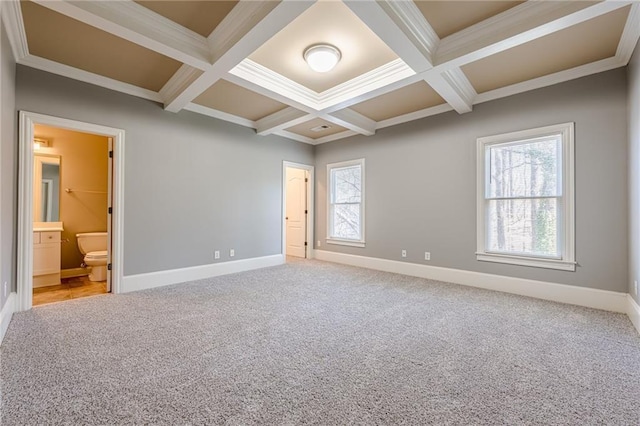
567 260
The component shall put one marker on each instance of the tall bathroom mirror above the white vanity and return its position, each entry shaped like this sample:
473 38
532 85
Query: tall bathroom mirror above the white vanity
46 188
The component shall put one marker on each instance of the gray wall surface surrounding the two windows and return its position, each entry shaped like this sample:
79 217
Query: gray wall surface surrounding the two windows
421 181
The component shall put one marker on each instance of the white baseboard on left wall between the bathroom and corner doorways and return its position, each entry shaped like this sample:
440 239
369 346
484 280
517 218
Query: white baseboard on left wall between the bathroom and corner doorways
175 276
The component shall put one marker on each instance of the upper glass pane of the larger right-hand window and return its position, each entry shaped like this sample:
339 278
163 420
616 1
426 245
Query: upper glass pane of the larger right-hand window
525 170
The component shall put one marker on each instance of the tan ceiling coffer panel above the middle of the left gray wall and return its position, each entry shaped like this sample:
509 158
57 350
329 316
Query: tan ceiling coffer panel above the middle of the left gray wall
232 99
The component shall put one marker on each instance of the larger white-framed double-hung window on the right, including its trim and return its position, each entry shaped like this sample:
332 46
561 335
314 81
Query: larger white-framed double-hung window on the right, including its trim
525 198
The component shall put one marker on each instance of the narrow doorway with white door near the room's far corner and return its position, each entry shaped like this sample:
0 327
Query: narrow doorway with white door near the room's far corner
297 208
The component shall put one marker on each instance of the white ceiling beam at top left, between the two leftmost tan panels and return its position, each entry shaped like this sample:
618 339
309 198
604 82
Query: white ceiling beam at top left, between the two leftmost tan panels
137 24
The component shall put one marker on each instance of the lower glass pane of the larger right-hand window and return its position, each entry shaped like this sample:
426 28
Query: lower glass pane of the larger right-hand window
523 227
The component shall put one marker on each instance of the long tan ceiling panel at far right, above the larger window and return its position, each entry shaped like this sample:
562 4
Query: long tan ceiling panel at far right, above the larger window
581 44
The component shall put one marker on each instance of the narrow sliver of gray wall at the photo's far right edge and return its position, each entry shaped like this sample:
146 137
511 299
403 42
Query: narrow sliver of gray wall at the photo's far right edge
634 171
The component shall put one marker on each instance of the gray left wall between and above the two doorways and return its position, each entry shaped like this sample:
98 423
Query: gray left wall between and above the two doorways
193 184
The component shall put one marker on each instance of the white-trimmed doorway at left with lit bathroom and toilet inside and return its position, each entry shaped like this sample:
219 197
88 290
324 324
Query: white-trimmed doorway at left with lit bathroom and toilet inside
70 213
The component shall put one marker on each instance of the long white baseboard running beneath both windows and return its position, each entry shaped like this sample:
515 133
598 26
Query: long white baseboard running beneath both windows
592 298
